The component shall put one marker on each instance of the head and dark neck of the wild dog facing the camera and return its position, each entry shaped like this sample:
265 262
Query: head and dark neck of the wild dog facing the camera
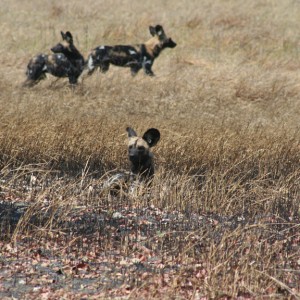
139 154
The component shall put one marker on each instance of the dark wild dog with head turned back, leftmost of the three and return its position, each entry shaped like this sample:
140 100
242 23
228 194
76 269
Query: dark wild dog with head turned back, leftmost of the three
65 62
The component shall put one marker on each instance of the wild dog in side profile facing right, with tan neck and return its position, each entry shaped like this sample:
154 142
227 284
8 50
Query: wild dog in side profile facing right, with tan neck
135 57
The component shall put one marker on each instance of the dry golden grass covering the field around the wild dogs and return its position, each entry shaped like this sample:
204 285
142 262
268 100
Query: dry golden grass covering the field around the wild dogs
226 101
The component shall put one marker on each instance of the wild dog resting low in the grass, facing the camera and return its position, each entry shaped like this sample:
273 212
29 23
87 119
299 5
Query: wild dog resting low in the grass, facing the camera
141 160
